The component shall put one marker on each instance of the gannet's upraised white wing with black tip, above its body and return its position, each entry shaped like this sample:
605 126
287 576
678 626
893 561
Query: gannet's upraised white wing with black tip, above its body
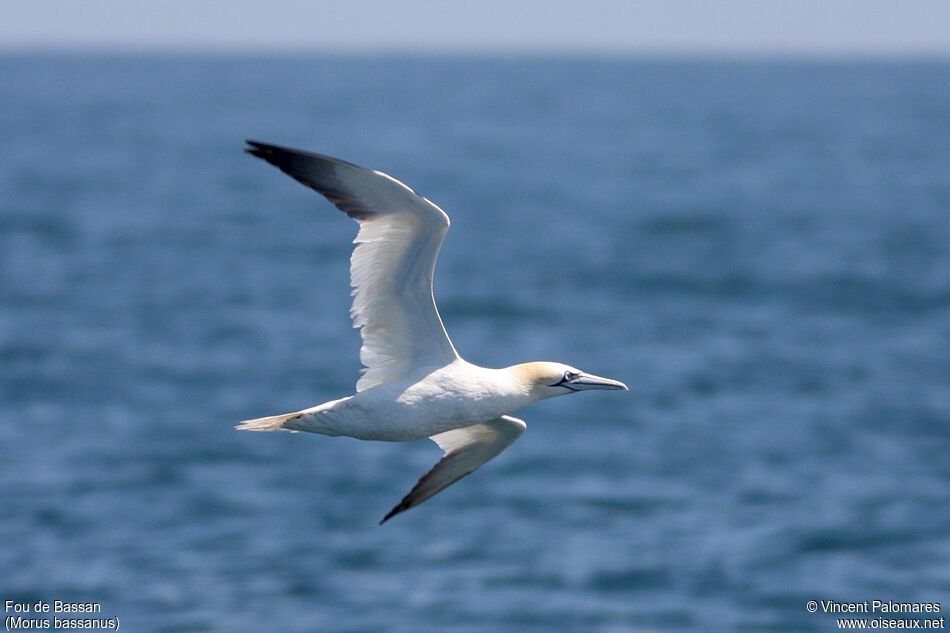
392 265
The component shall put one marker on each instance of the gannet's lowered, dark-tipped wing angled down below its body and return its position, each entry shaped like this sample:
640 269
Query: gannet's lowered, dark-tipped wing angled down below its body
465 449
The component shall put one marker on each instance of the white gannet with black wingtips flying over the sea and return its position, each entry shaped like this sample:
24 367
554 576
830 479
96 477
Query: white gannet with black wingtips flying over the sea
414 385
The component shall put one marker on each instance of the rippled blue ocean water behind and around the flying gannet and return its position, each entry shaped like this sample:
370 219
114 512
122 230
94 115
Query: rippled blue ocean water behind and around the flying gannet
759 249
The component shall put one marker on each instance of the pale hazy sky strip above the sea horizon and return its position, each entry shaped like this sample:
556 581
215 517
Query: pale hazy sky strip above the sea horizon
878 27
